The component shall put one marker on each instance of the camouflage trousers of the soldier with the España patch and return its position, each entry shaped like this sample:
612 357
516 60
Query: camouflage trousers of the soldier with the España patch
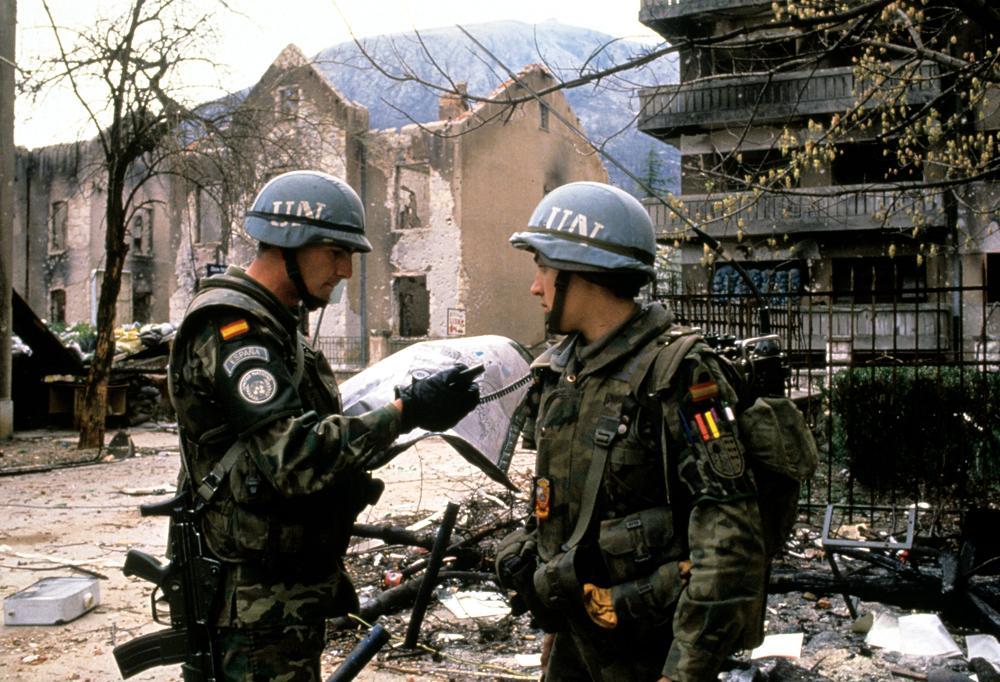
282 654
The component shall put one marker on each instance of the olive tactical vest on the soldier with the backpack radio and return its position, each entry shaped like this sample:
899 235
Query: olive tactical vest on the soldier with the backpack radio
613 523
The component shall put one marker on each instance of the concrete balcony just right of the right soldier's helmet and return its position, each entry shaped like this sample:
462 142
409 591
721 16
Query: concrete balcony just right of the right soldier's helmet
817 209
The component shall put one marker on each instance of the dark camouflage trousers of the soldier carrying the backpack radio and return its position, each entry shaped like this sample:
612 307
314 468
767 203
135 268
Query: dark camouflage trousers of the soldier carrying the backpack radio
585 653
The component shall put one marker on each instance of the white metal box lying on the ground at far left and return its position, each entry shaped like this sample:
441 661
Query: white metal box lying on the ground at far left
52 601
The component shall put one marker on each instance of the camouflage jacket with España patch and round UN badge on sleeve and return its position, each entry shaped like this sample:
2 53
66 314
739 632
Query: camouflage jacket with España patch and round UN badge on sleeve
281 515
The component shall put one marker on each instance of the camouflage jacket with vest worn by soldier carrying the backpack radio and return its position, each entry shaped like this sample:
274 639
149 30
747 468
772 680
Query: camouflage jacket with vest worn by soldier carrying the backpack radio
675 488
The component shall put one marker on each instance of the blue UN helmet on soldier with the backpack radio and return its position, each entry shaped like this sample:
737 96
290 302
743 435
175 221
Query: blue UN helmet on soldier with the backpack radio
591 227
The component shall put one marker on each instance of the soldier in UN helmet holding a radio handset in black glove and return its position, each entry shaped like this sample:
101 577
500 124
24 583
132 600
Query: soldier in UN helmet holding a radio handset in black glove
279 472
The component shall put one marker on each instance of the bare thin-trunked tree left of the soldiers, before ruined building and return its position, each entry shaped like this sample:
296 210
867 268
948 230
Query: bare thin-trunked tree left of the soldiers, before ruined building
133 76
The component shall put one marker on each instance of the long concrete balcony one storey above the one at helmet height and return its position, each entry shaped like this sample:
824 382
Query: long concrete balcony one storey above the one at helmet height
671 110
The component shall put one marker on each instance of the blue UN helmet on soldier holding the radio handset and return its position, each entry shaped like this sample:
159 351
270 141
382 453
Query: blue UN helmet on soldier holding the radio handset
308 207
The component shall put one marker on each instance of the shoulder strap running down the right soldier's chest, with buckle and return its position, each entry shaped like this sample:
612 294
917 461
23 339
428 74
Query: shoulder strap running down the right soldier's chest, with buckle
670 348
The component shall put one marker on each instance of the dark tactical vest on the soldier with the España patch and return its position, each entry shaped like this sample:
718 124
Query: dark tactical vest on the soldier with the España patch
244 518
